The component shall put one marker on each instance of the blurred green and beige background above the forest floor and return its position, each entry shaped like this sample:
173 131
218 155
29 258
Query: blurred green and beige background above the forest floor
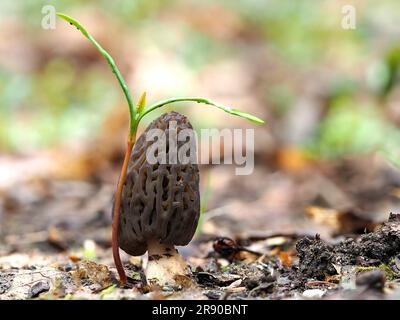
326 90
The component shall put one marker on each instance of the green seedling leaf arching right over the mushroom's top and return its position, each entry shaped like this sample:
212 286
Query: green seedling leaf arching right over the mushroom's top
229 110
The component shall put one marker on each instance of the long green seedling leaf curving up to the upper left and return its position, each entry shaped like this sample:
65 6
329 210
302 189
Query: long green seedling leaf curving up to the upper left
112 64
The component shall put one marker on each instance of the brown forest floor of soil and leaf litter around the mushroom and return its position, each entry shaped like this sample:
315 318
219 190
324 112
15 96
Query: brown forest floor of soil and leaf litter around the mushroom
323 233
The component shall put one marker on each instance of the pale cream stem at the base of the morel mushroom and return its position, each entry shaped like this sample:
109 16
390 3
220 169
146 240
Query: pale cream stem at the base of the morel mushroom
164 264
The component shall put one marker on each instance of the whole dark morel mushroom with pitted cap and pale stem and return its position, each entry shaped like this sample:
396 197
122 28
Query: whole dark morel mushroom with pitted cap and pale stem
160 201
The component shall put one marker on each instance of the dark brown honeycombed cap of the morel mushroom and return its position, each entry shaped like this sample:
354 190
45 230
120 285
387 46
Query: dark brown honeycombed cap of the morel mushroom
159 201
